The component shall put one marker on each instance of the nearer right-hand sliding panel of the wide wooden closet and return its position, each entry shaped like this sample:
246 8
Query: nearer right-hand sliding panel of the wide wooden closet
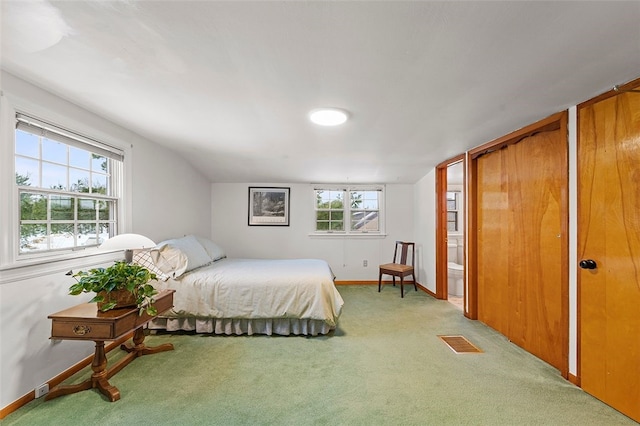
535 191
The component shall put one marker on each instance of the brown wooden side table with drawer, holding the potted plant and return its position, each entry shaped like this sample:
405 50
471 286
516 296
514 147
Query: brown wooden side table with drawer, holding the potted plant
86 322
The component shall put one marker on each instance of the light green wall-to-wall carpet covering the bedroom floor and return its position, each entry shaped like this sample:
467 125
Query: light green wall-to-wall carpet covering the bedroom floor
384 365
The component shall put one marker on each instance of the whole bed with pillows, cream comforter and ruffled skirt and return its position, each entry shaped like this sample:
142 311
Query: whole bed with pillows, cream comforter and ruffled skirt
220 295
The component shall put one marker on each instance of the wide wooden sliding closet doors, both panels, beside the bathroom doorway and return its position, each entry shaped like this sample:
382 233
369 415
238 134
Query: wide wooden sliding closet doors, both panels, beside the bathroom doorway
522 244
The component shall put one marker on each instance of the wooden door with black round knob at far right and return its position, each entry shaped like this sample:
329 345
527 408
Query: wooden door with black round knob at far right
609 234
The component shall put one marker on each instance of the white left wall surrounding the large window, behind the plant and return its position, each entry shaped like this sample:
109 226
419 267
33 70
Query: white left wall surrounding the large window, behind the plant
168 198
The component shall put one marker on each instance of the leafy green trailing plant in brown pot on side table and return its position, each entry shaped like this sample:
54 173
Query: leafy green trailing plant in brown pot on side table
122 284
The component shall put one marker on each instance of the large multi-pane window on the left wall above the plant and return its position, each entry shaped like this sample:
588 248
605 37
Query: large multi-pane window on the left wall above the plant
68 188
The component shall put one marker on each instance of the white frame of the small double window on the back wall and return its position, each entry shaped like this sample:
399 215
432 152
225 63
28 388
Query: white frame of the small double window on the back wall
347 210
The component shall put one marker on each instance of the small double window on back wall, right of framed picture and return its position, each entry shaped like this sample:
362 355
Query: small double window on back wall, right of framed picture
350 210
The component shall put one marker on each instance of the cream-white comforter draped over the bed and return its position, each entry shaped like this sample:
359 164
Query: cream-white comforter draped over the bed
257 288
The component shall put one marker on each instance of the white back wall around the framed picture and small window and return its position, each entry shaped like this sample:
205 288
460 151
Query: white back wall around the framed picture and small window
230 229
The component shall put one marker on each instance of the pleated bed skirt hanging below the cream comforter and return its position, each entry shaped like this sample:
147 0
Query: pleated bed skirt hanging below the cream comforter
231 326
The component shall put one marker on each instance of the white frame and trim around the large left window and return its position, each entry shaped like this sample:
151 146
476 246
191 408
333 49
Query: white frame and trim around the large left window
10 259
